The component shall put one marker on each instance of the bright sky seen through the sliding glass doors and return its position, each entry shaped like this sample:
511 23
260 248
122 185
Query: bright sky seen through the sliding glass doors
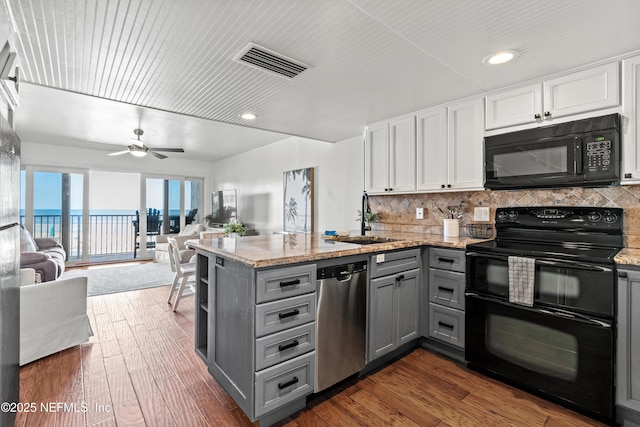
109 191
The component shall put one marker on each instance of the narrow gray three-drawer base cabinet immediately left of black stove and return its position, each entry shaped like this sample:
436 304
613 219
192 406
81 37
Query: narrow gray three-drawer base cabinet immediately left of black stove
446 296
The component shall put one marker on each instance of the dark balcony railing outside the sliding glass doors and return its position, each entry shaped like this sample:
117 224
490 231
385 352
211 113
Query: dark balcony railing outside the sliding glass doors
109 235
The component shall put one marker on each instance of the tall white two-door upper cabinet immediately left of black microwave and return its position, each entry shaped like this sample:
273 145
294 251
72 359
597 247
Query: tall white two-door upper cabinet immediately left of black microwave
450 148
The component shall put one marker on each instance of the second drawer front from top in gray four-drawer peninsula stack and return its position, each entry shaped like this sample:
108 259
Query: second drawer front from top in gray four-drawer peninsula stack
278 315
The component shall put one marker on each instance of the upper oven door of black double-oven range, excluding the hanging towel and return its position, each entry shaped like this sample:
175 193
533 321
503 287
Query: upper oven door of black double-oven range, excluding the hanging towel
575 286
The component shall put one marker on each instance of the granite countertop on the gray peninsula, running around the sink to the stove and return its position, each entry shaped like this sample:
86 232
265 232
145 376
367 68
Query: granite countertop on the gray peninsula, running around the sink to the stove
279 249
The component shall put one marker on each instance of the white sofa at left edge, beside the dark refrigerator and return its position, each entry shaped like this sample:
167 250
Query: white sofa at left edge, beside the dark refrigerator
53 315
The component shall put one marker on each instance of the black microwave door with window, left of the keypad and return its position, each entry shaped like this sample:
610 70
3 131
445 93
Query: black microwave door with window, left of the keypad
550 162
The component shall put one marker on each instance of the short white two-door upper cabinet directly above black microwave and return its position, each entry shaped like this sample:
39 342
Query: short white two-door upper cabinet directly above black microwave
592 89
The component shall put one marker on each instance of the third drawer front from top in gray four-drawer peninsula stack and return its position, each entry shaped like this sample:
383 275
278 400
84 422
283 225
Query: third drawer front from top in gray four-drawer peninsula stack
285 345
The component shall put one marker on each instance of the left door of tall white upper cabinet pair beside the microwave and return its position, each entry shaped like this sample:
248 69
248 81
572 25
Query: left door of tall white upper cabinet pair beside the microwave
432 149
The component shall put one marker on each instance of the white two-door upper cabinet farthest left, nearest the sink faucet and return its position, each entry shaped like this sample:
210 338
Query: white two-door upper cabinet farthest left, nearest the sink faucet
390 156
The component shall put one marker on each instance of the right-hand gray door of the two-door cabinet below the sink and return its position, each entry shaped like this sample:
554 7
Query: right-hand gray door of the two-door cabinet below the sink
408 299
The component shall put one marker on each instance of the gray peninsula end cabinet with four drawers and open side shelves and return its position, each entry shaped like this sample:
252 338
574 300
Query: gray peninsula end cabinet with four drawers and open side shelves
257 334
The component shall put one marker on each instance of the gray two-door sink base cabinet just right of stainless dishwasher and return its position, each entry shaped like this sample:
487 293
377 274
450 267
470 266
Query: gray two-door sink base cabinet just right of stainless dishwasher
393 301
